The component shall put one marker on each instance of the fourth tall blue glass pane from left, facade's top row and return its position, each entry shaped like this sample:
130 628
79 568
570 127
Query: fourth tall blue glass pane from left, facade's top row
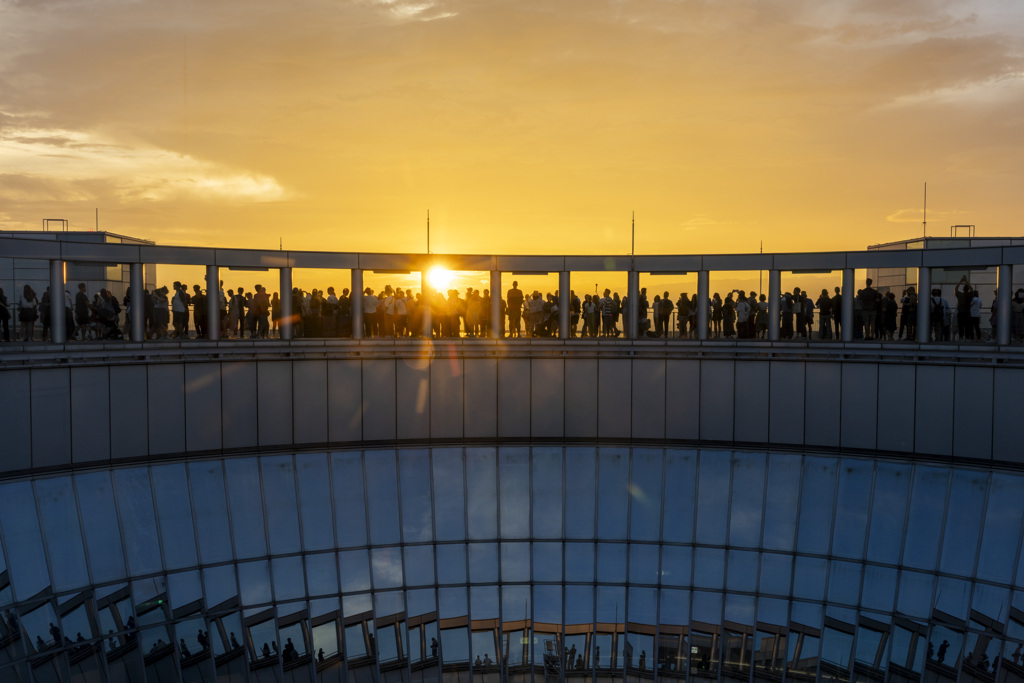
139 522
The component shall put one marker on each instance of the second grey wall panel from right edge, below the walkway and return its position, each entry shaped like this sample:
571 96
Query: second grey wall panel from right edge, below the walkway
973 413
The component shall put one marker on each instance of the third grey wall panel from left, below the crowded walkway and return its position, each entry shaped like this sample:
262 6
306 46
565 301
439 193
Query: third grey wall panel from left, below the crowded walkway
91 414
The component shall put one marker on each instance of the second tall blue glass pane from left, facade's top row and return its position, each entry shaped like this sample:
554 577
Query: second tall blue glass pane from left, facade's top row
59 515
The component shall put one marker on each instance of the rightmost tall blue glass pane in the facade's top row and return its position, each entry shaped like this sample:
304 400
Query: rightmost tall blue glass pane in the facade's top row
1003 528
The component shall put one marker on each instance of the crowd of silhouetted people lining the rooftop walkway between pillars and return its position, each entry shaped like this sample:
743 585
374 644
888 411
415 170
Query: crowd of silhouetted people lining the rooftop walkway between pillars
397 313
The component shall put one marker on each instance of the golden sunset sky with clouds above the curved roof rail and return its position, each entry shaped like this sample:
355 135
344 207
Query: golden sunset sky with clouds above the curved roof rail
534 126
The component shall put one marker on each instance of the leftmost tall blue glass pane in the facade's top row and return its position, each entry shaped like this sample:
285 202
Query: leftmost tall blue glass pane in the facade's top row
23 540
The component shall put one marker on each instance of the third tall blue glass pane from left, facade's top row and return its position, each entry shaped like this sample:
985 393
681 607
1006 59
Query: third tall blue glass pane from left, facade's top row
100 522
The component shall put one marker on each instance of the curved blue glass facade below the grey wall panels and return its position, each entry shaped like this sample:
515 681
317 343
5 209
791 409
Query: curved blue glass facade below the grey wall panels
515 565
